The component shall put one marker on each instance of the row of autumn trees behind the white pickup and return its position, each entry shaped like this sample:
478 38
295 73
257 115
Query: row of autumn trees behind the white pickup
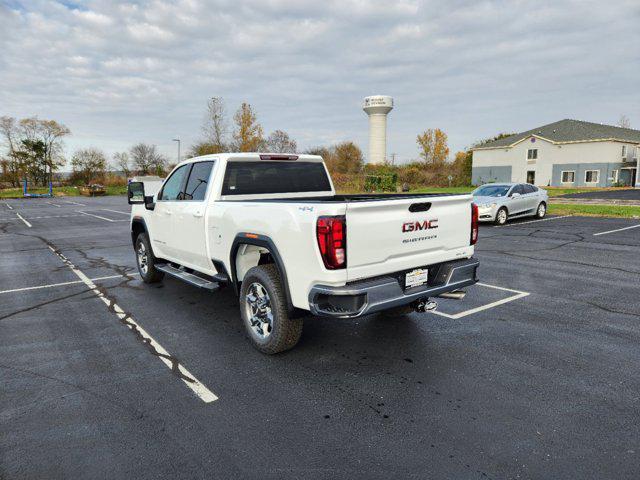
35 151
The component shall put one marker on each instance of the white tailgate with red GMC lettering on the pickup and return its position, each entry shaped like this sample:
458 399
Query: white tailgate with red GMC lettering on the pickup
385 236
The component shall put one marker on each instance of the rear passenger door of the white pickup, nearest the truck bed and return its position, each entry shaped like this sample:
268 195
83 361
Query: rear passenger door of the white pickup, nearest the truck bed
188 238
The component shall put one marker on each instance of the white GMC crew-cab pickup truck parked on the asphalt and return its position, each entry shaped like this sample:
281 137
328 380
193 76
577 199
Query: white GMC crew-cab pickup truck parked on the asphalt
272 227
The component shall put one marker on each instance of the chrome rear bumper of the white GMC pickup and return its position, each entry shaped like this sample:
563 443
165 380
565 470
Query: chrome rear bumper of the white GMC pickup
373 295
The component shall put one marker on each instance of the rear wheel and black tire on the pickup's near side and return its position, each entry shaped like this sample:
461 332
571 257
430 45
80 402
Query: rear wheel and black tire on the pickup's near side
276 333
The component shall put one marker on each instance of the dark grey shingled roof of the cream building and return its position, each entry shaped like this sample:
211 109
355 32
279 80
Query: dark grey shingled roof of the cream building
568 130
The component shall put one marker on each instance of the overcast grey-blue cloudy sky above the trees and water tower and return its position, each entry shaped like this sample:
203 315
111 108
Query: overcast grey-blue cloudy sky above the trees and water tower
118 73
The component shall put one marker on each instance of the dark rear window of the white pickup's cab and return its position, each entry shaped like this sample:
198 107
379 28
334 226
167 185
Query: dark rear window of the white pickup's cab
262 177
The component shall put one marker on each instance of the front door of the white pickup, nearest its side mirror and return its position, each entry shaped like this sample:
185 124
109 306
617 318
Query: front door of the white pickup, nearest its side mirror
163 218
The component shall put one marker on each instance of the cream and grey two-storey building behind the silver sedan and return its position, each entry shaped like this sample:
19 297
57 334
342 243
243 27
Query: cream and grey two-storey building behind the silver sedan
568 153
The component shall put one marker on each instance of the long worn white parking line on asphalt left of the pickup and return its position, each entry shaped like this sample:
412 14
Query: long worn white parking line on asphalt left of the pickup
189 380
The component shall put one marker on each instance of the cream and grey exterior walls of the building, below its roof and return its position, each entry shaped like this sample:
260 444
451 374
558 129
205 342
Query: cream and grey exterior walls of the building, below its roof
604 156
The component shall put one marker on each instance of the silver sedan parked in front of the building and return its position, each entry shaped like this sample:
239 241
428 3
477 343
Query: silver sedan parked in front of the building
498 202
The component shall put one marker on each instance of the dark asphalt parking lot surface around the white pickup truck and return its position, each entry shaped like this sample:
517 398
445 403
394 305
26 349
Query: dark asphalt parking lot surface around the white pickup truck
535 374
